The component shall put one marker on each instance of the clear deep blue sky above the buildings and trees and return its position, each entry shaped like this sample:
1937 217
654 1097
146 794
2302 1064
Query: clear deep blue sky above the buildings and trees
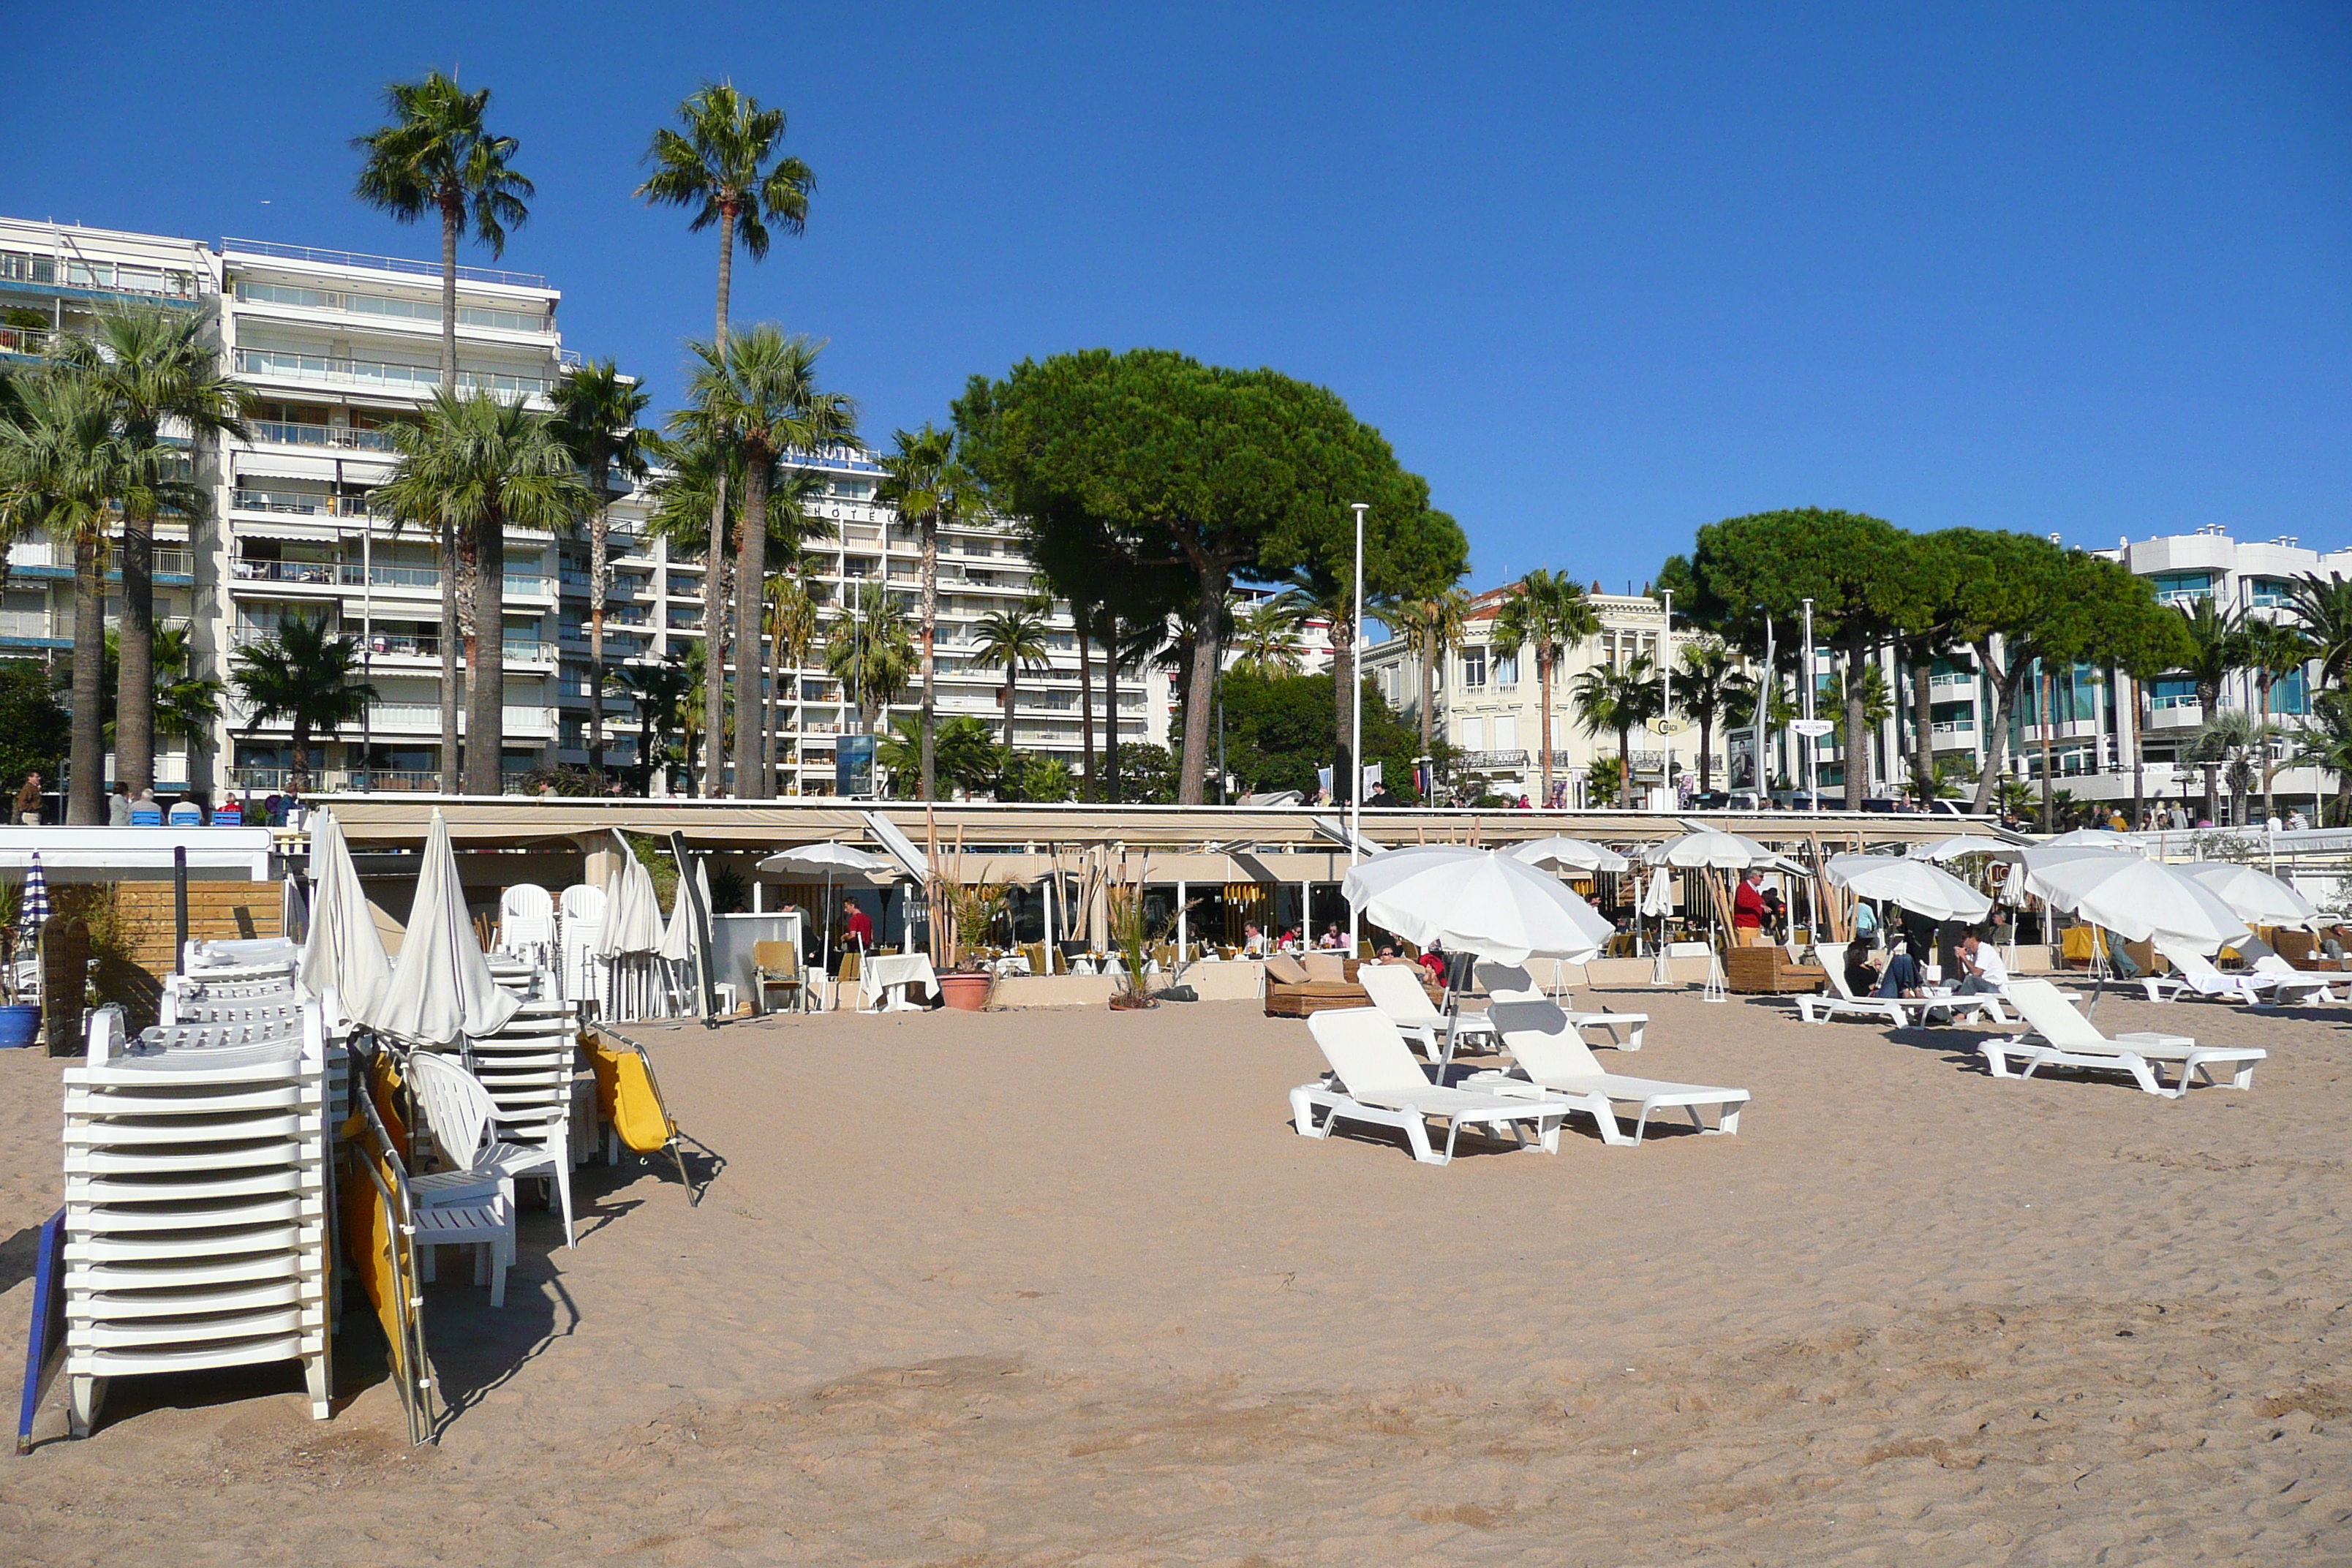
1601 274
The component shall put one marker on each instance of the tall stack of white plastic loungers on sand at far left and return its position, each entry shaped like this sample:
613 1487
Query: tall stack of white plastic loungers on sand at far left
196 1202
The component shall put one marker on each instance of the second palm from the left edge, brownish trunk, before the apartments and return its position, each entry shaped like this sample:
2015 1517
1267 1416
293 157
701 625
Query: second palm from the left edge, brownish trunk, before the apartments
149 366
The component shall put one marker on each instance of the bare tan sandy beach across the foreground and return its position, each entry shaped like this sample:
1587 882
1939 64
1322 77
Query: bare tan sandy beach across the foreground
1067 1289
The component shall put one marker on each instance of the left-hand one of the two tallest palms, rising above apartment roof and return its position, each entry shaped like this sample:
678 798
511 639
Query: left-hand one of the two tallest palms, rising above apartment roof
439 156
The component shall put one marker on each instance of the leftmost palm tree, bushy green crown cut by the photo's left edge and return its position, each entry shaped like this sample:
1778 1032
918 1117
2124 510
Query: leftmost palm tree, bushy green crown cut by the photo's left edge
65 467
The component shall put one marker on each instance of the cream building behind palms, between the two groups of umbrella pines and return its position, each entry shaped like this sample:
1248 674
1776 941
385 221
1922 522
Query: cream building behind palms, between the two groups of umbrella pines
1490 702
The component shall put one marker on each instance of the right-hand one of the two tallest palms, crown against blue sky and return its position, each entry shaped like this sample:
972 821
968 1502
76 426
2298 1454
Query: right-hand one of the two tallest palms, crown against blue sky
723 166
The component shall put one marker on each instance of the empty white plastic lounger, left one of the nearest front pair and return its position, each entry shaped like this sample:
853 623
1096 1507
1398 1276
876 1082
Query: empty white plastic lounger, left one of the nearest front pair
1377 1080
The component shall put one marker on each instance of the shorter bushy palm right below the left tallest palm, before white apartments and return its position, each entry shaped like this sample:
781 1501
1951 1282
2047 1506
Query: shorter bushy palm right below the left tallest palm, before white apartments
481 464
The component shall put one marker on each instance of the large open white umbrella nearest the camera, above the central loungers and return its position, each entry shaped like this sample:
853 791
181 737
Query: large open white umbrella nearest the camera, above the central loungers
1476 902
